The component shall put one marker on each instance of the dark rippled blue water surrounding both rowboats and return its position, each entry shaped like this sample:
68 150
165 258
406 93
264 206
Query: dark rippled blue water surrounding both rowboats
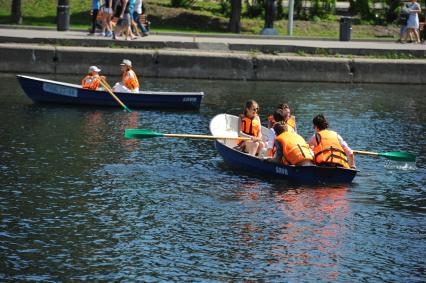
79 202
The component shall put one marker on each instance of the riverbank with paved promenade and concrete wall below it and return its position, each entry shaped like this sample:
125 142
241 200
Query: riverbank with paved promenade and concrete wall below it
213 57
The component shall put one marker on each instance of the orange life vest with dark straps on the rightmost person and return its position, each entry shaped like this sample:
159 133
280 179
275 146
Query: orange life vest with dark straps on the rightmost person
328 149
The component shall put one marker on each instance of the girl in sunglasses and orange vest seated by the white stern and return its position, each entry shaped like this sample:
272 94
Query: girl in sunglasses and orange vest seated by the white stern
249 126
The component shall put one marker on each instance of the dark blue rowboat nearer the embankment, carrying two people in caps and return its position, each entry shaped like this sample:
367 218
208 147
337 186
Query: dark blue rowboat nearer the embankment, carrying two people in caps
41 90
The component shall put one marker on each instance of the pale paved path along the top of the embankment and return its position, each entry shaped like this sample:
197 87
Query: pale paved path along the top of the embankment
206 42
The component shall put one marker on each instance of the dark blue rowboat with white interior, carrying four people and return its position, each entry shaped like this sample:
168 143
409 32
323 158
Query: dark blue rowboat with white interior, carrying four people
227 125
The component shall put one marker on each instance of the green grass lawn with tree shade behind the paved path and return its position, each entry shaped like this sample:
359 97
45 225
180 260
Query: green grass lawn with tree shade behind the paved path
205 17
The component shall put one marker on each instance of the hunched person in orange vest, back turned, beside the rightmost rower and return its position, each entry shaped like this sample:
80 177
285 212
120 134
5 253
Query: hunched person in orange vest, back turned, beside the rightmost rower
292 149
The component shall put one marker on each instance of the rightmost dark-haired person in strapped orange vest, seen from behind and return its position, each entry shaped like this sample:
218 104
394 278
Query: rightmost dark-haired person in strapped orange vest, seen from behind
329 147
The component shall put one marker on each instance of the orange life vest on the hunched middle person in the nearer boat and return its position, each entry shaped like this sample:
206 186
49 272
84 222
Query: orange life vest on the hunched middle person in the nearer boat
294 147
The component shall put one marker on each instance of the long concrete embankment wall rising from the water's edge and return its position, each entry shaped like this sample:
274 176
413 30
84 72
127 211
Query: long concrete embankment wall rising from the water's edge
197 64
